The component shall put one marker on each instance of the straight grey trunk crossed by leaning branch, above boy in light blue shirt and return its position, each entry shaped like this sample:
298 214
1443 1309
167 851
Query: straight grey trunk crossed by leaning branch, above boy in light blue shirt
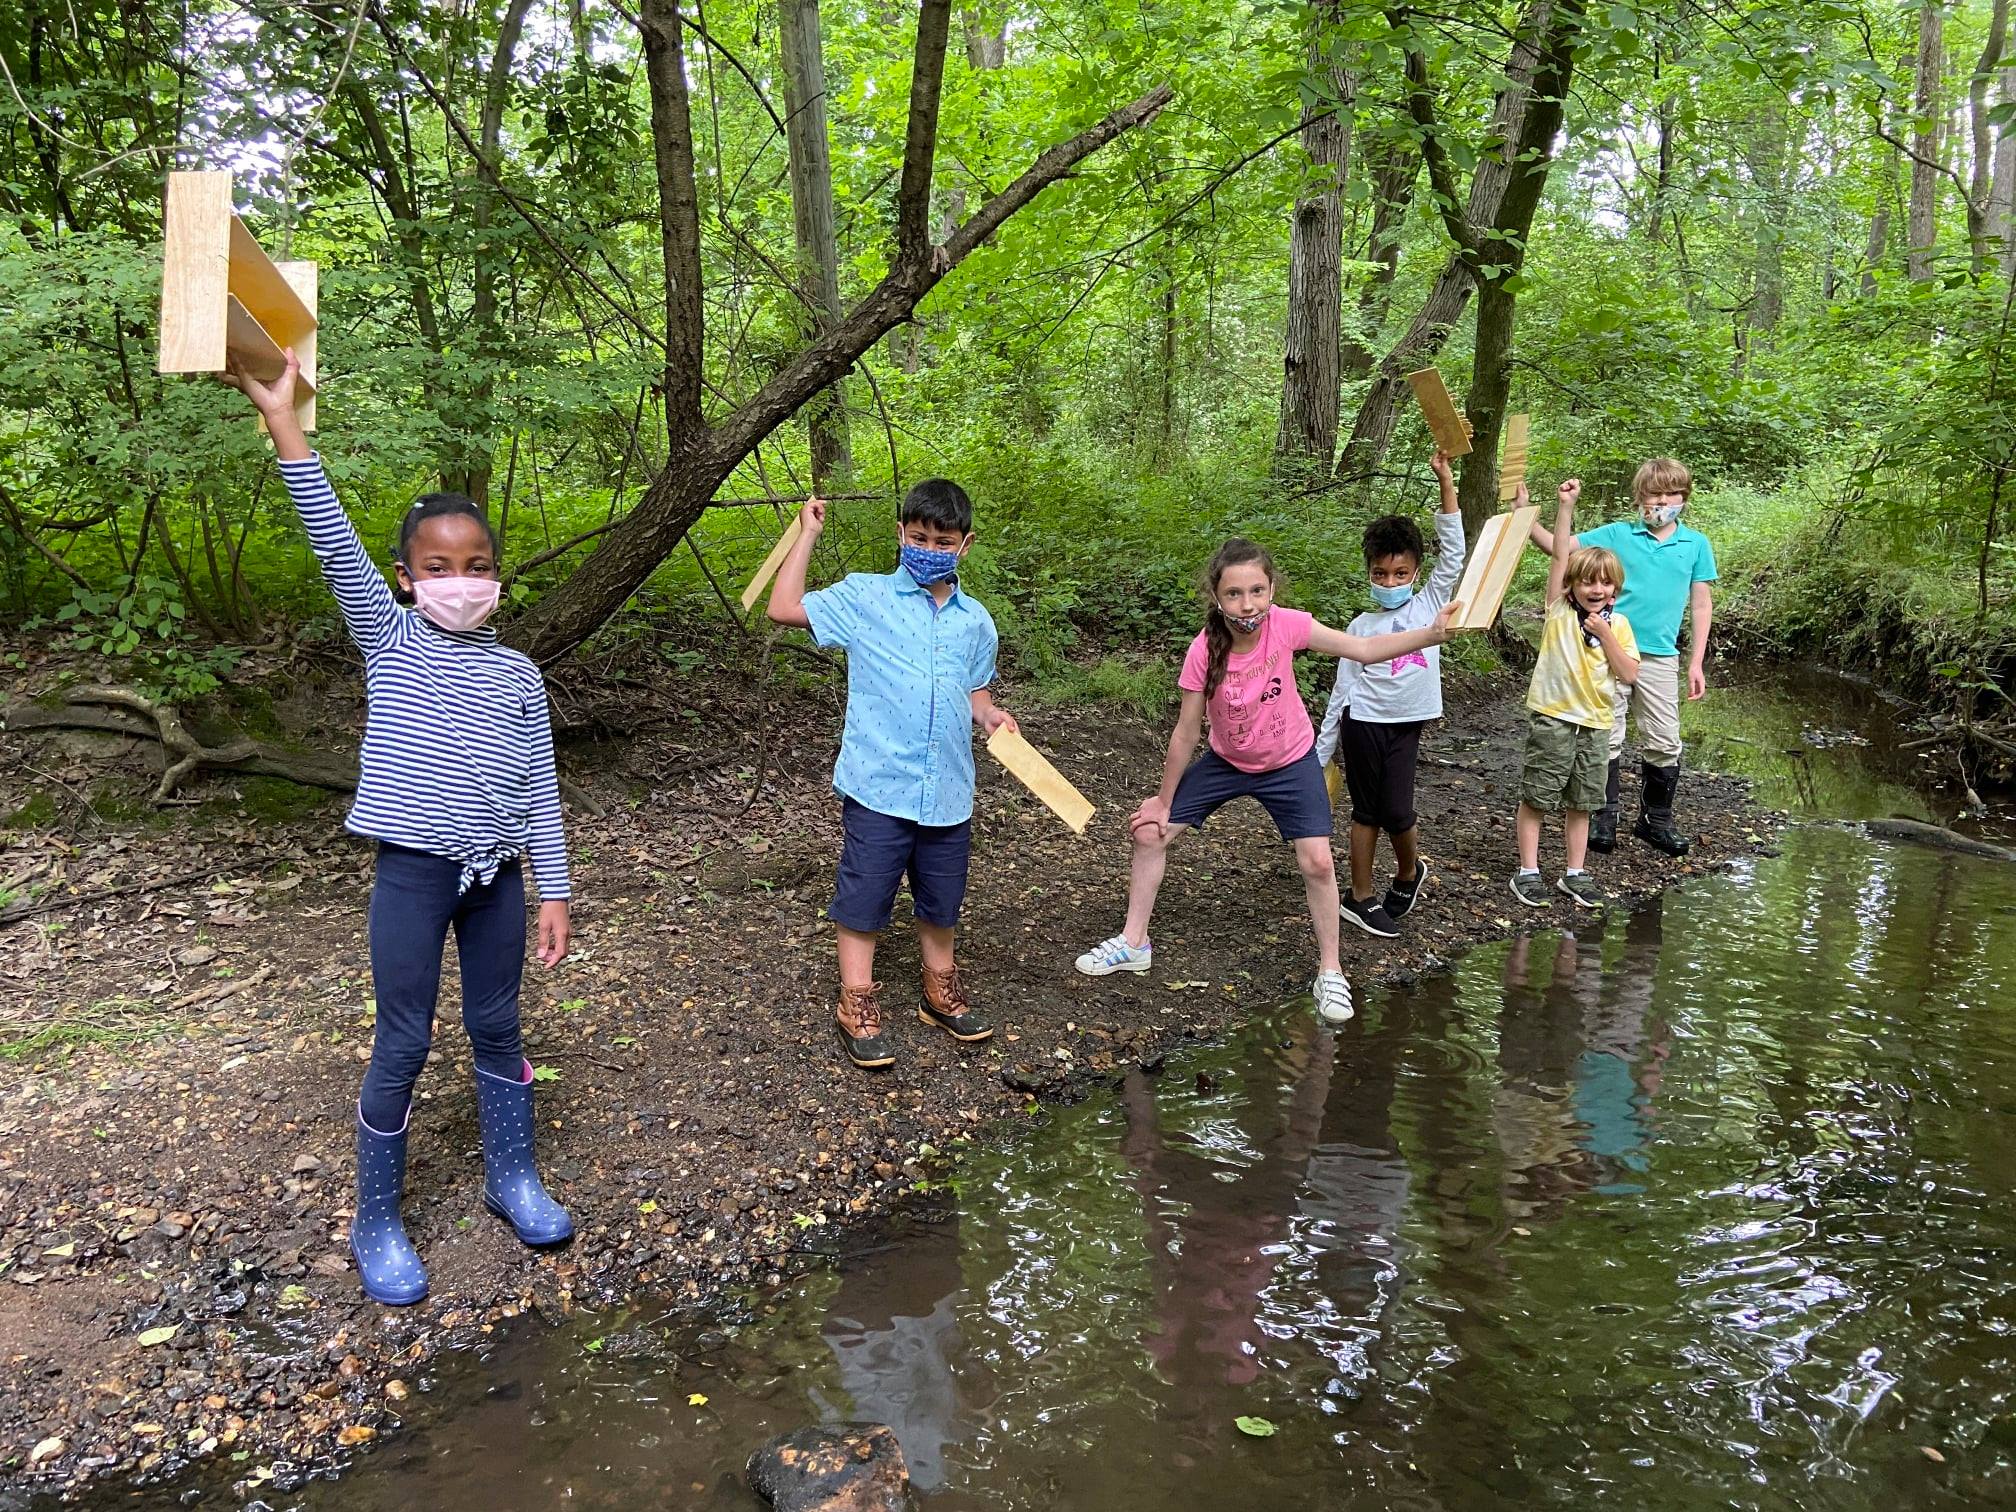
811 205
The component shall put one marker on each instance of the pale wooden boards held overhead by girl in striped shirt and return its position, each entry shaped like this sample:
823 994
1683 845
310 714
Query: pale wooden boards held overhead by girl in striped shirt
223 299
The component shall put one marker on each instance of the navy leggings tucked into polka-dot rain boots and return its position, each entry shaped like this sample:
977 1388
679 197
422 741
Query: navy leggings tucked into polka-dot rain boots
412 908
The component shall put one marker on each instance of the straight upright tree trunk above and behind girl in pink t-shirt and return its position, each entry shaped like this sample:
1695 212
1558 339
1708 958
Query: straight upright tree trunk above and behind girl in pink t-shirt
1309 392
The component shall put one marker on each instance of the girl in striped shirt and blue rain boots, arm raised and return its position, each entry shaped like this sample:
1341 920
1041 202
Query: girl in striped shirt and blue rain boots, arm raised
457 785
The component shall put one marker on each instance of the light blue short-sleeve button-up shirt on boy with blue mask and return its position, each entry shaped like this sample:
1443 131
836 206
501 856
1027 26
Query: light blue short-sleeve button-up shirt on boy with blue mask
912 668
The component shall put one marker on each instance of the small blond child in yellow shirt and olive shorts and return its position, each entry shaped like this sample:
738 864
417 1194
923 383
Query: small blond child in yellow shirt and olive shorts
1586 652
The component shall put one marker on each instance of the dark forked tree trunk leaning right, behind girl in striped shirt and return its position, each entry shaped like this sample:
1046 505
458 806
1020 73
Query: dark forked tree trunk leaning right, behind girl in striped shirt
705 457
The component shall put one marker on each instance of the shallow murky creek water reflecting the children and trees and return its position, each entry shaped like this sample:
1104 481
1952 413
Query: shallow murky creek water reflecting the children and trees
1700 1207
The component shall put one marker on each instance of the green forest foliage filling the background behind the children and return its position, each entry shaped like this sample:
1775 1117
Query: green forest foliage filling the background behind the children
1104 372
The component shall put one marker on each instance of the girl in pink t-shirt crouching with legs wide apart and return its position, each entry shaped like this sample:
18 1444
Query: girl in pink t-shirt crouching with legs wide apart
1241 672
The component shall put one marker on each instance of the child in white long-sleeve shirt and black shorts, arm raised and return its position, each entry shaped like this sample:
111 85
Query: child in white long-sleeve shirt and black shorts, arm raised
1378 711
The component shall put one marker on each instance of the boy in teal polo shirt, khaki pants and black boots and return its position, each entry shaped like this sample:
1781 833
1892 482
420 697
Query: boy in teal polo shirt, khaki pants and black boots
1668 570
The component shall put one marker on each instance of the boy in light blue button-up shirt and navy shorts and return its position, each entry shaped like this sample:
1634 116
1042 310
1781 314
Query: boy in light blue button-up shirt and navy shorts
920 656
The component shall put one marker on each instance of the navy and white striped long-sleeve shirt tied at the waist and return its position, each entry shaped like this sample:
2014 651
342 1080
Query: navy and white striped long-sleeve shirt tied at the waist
459 741
